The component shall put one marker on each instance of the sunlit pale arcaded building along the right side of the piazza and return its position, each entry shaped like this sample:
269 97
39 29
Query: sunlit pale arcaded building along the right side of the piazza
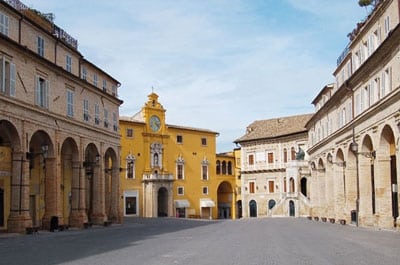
354 134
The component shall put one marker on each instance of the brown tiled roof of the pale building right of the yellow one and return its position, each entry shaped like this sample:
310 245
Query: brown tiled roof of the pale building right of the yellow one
277 127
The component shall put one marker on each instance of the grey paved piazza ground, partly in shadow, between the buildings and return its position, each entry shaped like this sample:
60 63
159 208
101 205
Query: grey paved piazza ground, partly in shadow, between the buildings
180 241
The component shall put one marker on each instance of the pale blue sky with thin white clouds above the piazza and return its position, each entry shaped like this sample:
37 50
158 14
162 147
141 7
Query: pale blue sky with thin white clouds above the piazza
216 64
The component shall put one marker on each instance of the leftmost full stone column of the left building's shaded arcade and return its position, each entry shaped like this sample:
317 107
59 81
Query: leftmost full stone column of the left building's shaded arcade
19 217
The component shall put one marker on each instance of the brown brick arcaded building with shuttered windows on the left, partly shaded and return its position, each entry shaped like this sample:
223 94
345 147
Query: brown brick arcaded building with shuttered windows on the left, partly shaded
59 136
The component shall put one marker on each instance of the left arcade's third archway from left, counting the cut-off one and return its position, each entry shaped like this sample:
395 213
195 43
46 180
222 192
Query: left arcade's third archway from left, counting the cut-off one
70 184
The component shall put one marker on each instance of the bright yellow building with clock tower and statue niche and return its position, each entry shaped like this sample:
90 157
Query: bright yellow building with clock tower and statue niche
170 170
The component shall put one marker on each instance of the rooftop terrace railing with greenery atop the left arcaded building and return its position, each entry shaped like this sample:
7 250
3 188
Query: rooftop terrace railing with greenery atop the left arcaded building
54 29
